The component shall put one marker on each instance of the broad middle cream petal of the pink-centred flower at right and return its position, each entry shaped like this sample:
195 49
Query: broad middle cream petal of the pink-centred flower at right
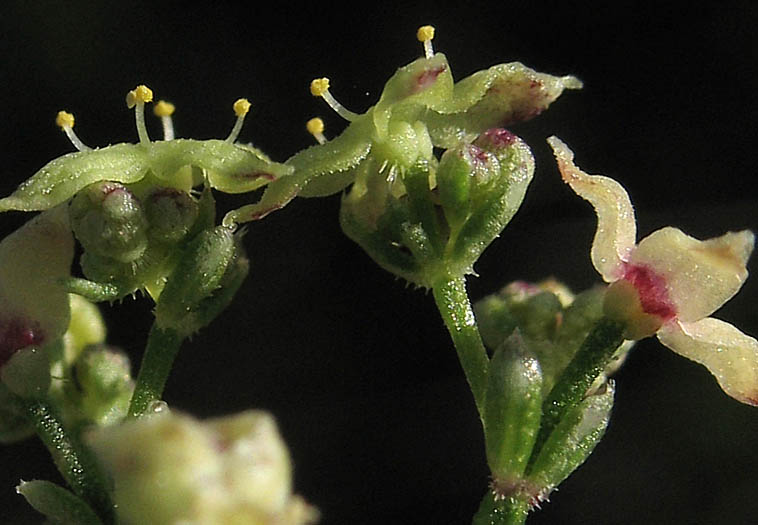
699 276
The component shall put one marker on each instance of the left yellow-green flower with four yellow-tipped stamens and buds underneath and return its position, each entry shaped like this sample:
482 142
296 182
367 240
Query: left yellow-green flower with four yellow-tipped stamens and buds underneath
133 207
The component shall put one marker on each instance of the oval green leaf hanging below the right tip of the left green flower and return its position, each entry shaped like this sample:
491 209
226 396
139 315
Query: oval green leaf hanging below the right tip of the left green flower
211 267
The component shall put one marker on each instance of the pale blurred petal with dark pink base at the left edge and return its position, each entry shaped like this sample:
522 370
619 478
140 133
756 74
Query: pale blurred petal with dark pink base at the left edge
34 308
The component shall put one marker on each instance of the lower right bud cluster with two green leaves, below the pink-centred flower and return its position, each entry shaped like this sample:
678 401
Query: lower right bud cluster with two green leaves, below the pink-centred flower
535 330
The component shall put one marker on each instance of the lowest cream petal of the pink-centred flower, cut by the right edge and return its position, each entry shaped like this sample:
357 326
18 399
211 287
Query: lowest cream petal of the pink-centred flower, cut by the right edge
730 355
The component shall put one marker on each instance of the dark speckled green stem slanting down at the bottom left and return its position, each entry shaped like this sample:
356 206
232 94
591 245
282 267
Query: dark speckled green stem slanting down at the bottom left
74 461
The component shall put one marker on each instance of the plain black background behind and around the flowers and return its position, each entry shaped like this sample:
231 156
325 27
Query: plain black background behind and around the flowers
356 366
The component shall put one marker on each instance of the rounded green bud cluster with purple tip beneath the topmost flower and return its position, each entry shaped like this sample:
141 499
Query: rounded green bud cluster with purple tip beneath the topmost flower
435 219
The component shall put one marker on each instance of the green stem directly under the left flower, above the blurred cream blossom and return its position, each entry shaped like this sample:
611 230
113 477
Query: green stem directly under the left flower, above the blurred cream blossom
160 352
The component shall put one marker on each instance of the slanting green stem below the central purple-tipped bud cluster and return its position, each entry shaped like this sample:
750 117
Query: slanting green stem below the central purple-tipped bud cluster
455 308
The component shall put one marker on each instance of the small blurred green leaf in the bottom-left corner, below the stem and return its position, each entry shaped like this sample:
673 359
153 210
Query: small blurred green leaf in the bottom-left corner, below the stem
60 506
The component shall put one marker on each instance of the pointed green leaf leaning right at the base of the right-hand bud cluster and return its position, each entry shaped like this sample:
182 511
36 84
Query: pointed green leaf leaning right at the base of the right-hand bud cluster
572 440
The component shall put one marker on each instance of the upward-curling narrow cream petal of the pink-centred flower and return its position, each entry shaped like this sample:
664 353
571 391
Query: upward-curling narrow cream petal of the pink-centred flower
616 229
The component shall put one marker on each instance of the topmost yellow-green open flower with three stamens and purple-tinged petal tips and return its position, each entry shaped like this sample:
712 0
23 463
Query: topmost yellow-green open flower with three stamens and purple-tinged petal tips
421 107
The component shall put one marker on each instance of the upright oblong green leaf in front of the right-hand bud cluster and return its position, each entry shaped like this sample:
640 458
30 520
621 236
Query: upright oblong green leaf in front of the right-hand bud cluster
513 408
